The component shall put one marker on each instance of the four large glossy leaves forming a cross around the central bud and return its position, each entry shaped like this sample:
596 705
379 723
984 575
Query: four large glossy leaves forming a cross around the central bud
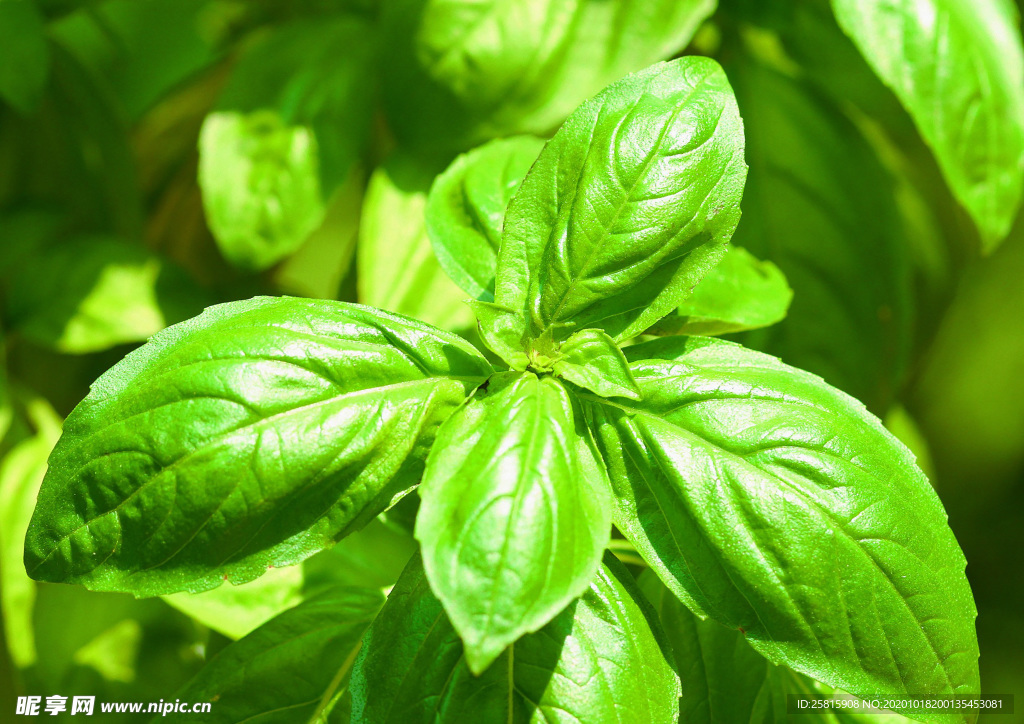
265 431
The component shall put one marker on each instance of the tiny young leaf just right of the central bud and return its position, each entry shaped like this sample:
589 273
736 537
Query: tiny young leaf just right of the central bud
592 360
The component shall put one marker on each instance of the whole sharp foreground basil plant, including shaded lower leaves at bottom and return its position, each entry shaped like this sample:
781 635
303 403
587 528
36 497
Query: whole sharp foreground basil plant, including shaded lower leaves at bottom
617 522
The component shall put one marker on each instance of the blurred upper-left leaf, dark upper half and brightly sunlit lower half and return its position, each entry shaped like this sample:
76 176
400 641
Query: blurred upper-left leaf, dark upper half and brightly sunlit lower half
289 126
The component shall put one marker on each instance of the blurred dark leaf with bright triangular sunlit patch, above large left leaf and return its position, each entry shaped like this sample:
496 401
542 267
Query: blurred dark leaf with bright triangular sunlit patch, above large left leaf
94 293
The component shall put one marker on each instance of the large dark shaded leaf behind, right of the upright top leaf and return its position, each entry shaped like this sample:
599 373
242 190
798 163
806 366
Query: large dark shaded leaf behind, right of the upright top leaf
820 204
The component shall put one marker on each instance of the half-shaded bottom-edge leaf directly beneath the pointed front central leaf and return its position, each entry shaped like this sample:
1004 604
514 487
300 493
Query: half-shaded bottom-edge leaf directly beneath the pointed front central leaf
601 660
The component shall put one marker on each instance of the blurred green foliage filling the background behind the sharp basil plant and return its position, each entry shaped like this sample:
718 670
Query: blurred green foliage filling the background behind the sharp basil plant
160 156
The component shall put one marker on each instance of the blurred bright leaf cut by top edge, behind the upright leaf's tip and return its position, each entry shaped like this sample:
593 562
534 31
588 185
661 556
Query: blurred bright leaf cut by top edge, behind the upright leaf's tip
461 72
